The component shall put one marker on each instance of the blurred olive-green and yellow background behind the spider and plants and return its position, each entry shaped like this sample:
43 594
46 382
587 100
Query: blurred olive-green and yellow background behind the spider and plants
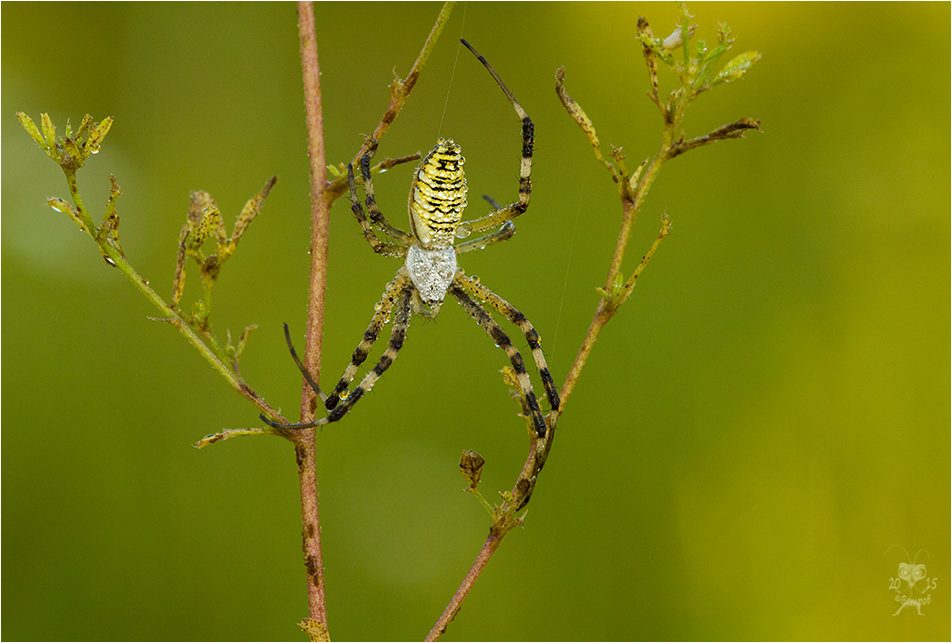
757 429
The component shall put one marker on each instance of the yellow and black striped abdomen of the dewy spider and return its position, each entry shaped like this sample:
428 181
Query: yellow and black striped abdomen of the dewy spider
438 196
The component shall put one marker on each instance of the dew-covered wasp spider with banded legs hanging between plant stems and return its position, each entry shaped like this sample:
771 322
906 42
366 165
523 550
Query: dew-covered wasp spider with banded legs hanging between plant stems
429 272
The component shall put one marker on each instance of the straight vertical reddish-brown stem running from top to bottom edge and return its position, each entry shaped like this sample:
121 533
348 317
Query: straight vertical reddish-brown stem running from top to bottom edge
305 448
